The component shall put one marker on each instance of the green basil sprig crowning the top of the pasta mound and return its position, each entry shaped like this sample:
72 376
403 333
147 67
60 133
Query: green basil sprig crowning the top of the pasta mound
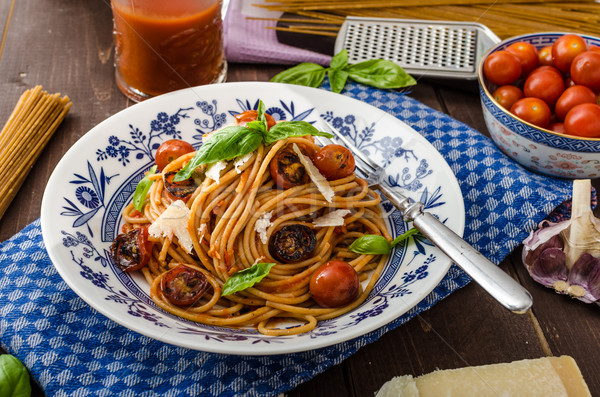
236 141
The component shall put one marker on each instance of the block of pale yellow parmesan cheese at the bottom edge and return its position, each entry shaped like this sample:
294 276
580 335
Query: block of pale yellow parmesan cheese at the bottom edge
547 376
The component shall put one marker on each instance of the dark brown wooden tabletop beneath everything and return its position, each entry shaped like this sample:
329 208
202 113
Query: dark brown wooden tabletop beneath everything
66 46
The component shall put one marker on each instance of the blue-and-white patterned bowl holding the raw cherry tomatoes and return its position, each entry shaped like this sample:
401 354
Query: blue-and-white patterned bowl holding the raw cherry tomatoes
536 148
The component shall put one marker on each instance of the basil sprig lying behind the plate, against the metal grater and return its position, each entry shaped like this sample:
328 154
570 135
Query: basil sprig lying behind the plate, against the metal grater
378 73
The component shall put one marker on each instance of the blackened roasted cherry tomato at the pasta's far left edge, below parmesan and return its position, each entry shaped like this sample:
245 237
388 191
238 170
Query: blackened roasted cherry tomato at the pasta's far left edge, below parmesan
132 250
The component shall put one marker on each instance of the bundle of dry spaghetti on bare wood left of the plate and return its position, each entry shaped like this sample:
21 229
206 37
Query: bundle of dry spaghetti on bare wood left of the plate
33 121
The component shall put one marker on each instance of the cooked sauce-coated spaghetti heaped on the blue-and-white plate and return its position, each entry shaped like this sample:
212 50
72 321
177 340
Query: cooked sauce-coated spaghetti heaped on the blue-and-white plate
231 224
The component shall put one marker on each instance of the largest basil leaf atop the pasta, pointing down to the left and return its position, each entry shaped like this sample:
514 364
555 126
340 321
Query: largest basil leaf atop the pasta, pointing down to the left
225 144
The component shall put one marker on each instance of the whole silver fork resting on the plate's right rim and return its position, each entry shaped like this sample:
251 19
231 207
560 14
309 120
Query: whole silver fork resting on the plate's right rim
490 277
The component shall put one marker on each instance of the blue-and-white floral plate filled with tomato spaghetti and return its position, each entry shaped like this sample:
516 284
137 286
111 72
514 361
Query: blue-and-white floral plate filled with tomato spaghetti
221 218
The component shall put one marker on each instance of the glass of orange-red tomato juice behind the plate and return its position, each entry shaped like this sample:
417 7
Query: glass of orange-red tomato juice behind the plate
166 45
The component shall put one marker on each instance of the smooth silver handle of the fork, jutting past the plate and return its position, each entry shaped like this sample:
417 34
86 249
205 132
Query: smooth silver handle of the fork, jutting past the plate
490 277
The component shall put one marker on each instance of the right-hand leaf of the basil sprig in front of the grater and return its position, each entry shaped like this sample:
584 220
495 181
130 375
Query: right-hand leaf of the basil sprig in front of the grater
380 73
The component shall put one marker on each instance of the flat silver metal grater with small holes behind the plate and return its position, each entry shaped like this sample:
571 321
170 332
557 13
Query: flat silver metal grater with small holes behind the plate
423 48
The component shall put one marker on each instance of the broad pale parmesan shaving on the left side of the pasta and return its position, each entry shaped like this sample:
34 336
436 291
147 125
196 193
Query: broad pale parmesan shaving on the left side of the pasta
173 222
